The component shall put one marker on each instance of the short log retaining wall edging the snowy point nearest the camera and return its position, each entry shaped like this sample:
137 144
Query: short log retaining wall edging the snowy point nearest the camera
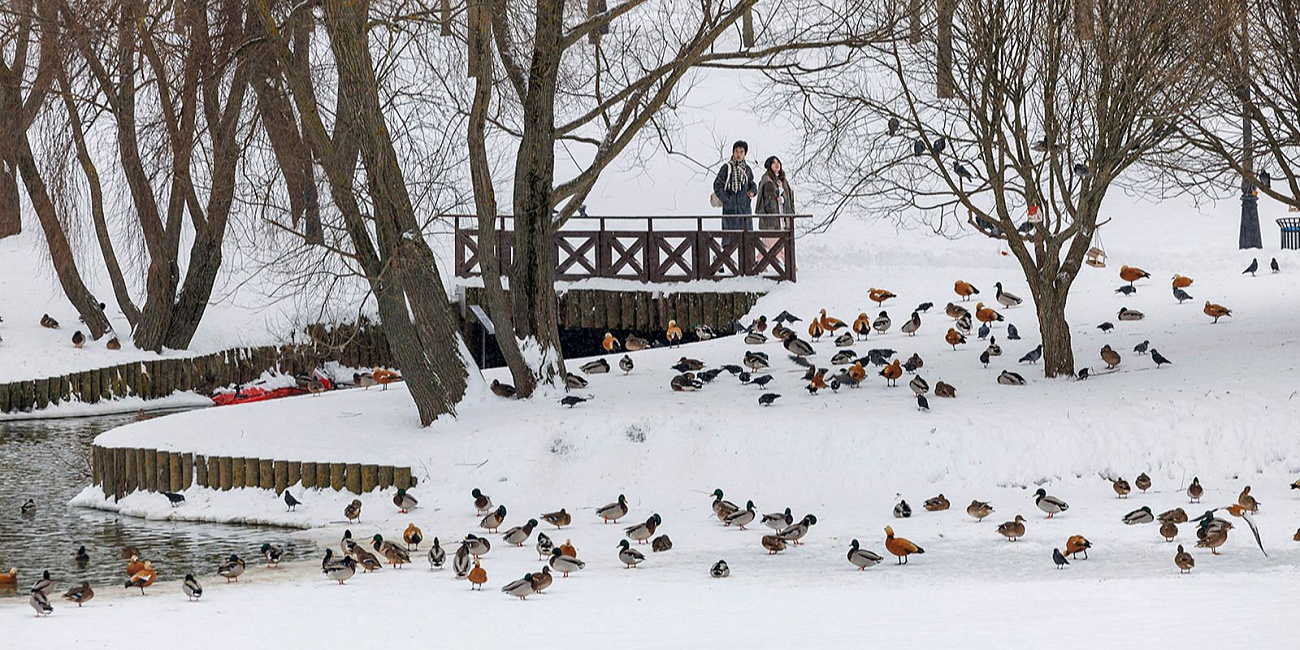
120 471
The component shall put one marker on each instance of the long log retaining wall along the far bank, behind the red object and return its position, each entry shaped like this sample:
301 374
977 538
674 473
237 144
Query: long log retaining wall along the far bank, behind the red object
361 346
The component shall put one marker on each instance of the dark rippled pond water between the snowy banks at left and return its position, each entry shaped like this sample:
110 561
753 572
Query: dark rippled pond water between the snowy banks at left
49 461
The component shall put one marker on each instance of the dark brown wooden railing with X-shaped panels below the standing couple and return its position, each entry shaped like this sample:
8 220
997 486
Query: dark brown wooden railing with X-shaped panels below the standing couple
648 249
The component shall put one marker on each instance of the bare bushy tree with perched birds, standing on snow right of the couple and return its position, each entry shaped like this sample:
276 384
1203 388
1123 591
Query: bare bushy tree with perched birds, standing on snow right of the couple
1048 111
